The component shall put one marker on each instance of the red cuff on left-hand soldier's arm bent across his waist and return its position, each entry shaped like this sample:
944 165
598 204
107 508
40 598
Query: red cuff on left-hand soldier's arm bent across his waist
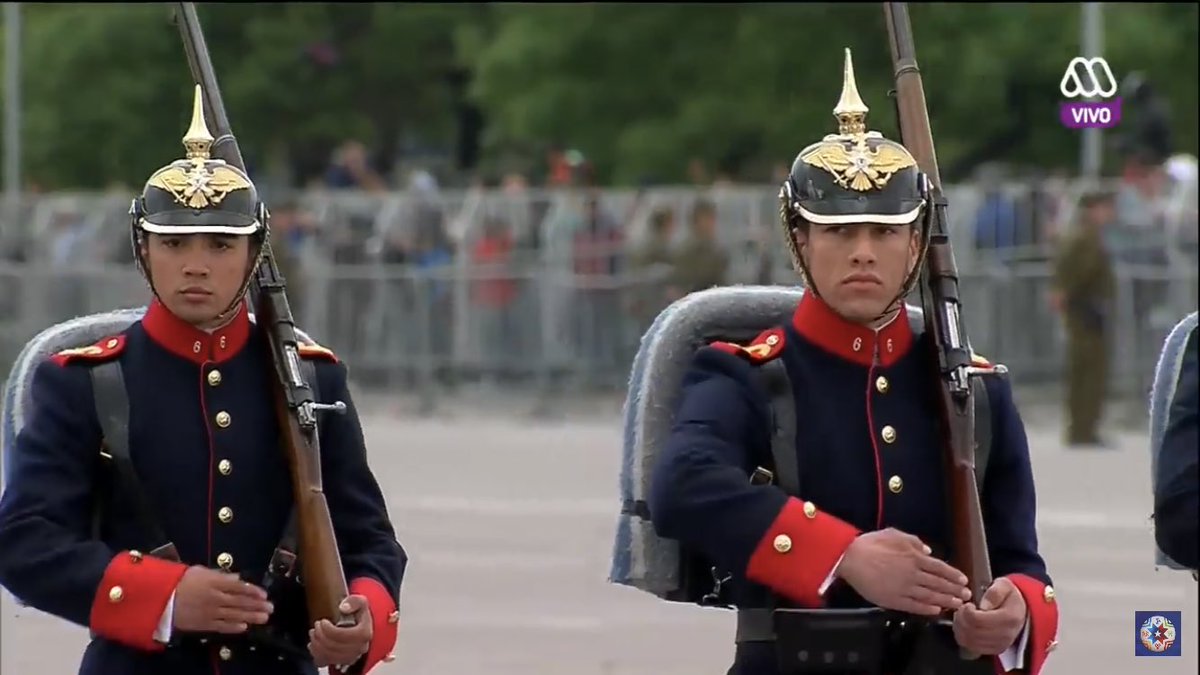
131 599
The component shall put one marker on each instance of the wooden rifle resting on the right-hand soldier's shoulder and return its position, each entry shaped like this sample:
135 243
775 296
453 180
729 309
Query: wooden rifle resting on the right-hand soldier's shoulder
941 304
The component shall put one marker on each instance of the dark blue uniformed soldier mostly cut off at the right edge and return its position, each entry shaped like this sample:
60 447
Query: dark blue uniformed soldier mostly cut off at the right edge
1178 489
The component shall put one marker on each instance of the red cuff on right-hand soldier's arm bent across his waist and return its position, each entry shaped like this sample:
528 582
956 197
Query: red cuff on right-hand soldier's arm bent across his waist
800 551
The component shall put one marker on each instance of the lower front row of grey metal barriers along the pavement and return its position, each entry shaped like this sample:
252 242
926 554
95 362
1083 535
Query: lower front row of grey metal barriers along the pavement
538 326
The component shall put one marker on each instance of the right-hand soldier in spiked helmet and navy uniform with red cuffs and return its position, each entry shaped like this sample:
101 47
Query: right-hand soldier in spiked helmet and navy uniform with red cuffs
868 527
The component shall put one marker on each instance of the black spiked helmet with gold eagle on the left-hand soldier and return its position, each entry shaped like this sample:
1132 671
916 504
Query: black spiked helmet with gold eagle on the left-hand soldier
199 195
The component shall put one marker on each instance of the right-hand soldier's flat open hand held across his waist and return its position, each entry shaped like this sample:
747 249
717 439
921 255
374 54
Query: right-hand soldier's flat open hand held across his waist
896 571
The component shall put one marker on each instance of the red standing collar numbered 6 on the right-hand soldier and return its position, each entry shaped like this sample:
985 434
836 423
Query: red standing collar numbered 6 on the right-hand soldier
817 322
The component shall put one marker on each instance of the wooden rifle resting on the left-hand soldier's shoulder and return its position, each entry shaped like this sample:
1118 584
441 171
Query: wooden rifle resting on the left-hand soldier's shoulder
325 582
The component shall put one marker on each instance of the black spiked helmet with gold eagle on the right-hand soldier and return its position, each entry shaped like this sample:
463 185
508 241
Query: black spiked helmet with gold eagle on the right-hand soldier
851 177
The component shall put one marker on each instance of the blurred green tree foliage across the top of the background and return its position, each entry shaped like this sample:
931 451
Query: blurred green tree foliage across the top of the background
640 89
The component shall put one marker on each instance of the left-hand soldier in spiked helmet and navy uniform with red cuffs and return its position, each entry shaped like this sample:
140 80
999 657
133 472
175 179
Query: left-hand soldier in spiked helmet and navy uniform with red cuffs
203 453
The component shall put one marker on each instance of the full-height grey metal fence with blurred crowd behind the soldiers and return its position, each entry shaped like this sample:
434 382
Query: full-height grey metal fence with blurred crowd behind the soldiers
537 321
